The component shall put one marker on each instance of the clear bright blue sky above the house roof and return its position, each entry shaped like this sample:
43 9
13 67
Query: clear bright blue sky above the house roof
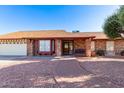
51 17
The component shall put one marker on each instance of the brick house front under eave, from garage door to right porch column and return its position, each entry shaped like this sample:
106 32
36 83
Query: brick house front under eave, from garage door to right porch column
59 46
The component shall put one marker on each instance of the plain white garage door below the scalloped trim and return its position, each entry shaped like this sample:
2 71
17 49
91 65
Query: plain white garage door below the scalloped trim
13 49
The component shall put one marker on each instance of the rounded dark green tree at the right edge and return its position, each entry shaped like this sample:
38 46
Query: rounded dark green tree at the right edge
114 24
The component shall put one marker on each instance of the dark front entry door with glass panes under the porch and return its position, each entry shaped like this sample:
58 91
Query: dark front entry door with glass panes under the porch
67 47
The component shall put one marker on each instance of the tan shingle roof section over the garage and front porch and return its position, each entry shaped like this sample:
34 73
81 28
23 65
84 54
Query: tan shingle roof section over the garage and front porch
44 34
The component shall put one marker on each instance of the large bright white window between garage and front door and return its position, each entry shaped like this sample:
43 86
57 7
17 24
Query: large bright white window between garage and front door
45 45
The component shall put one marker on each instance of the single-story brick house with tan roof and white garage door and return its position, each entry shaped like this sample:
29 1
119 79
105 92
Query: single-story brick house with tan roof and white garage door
57 42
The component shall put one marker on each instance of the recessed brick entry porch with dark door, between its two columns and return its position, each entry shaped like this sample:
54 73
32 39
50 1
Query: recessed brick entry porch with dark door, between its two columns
72 46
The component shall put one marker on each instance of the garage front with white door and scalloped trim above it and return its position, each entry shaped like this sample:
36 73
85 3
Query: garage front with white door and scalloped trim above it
17 47
